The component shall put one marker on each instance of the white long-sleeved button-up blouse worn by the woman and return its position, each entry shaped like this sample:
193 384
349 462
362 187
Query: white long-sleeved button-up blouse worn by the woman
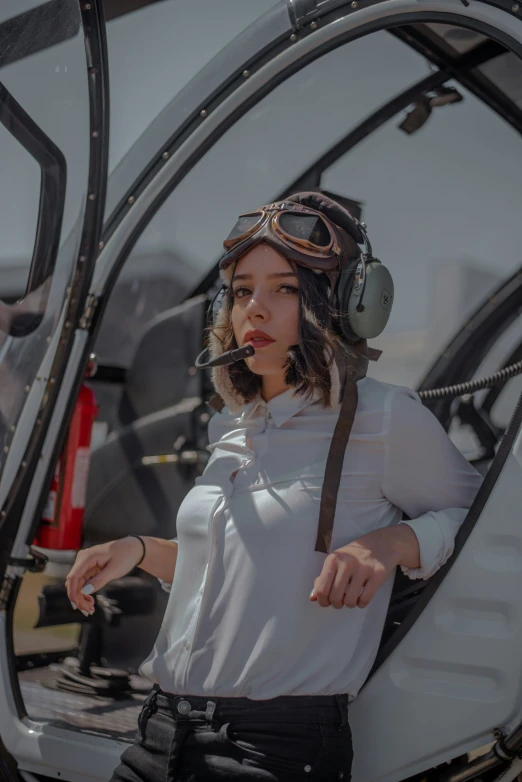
239 621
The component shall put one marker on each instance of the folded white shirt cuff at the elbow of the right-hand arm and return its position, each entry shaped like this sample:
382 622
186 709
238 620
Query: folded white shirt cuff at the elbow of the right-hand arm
435 532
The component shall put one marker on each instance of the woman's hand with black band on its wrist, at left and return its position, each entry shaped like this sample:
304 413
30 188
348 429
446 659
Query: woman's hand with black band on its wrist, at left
97 566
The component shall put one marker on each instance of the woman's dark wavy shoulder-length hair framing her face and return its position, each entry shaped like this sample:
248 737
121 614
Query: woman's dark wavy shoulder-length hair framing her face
307 367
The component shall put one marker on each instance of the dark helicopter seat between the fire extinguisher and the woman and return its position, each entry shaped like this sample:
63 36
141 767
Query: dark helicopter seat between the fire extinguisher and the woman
131 488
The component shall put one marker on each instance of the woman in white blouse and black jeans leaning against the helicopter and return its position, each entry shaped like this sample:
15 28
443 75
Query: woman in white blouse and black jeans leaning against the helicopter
253 673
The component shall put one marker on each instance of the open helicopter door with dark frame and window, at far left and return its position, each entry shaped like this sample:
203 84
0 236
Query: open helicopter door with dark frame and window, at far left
53 137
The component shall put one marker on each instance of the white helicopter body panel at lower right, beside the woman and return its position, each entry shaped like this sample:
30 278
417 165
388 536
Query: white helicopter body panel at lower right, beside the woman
457 675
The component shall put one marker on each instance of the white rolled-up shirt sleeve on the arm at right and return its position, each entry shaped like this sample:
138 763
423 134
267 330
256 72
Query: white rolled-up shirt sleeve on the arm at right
428 478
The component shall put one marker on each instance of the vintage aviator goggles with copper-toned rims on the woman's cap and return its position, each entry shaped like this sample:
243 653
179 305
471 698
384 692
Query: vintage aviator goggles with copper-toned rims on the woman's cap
298 232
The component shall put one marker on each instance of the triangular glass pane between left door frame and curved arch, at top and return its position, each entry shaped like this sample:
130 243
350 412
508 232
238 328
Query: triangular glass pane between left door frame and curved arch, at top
174 40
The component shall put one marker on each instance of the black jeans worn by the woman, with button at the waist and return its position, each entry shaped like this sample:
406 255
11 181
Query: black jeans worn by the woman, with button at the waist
183 738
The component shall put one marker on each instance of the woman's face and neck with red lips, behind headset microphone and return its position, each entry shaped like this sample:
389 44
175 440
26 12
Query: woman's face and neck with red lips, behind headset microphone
265 299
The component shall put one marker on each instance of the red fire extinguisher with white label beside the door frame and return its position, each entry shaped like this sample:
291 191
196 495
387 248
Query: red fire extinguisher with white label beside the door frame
62 518
